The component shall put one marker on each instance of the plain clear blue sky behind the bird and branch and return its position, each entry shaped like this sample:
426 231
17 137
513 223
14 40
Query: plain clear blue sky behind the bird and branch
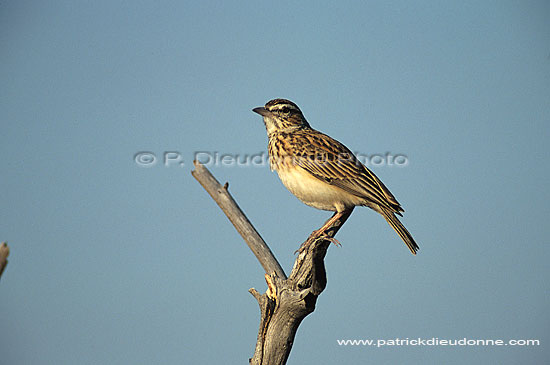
116 263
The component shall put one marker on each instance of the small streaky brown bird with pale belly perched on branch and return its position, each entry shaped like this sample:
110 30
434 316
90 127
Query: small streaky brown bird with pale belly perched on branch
322 172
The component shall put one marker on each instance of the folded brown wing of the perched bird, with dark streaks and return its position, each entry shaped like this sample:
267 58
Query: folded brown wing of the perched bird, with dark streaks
331 161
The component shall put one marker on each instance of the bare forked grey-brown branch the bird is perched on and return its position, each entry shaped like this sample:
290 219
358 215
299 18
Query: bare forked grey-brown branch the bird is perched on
287 301
